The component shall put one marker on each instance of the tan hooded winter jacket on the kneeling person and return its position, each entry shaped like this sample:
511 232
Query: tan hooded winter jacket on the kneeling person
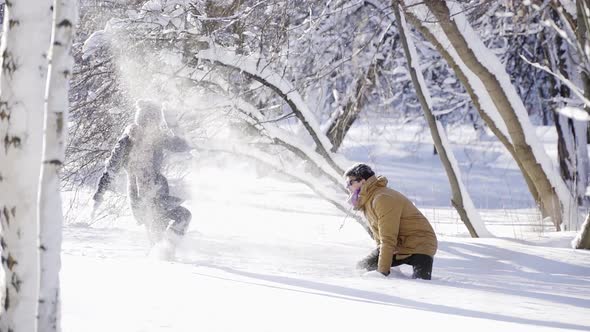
398 227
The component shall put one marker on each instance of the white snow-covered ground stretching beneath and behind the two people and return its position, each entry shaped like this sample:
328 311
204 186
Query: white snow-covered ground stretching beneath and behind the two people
263 254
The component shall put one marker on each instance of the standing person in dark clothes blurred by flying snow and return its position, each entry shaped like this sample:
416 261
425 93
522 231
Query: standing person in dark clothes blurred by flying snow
140 152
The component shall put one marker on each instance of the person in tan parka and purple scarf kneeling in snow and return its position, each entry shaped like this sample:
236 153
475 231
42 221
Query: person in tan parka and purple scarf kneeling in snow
402 233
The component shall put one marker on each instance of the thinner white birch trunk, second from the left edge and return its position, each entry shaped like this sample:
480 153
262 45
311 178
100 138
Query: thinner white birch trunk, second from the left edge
50 207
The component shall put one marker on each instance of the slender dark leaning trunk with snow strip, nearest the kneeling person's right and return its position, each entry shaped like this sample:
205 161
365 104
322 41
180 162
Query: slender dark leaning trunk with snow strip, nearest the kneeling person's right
460 197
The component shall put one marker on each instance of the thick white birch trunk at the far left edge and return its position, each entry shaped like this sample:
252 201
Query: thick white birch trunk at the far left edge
25 41
